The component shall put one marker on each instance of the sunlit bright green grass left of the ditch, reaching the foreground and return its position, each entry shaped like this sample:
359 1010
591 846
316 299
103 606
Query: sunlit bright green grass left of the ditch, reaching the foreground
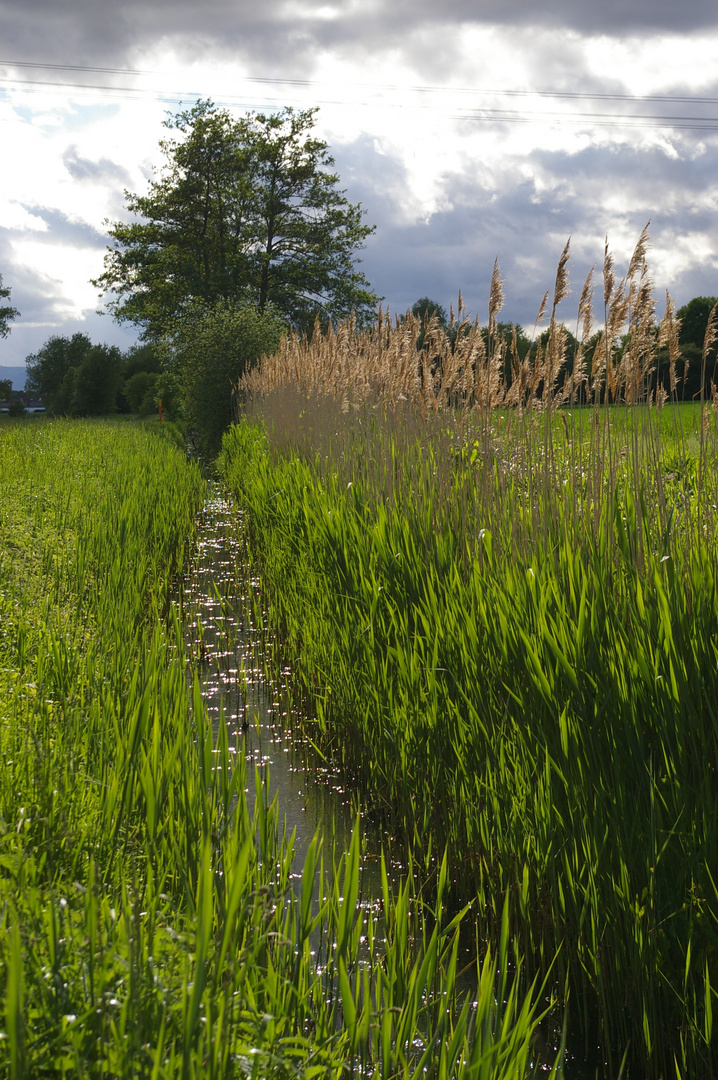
150 926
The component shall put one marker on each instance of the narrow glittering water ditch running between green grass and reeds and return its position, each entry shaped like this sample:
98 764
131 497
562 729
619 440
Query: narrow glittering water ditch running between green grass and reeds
232 655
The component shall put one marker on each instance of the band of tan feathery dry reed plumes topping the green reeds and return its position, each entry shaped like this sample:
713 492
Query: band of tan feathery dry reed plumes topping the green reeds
471 368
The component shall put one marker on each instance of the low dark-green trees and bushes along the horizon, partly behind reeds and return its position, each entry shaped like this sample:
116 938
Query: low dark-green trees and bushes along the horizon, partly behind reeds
196 376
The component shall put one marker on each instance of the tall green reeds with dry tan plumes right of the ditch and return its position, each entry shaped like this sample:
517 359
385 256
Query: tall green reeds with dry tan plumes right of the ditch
503 624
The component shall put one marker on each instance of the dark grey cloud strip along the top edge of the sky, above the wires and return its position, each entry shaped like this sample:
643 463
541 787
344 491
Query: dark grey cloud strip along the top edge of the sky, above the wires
289 35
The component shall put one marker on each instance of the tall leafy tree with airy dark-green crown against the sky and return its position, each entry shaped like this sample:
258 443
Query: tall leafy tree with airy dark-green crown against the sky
245 211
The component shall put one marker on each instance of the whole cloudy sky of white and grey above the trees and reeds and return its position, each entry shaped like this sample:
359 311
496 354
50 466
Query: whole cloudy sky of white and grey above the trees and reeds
492 128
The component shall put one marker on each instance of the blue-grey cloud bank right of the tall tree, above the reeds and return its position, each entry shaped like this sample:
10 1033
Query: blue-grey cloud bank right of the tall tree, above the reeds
527 222
